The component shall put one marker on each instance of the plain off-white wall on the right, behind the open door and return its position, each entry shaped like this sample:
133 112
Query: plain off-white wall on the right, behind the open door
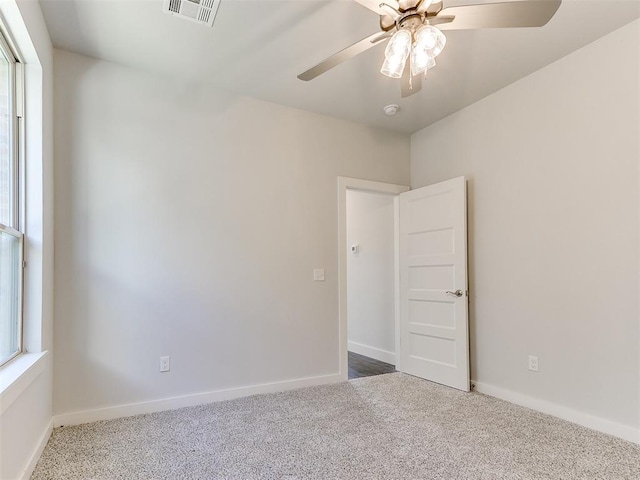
552 164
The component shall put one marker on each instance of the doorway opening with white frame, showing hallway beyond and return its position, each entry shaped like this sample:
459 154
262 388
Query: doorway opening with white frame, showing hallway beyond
368 214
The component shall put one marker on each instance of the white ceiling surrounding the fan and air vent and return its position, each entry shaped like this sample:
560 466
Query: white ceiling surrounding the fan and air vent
257 48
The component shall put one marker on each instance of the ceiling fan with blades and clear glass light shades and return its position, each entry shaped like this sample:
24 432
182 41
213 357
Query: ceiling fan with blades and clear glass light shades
414 28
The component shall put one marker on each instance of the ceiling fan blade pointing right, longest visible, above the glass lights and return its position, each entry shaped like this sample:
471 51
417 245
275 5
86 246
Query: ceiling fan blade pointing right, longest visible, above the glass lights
530 13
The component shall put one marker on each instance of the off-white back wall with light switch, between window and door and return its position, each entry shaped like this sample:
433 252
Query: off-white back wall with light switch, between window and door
188 223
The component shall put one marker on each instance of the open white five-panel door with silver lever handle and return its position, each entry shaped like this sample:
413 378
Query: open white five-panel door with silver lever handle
434 327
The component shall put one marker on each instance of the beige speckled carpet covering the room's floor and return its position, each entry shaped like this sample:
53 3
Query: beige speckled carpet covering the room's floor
390 426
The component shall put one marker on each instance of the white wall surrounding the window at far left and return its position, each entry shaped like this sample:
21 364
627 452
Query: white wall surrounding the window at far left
25 421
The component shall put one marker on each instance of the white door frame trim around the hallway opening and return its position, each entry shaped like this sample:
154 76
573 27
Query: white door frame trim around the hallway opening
344 184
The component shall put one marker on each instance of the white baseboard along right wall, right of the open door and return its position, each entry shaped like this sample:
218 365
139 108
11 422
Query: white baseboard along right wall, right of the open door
586 420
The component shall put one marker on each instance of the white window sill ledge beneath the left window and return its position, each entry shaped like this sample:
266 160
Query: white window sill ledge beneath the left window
17 375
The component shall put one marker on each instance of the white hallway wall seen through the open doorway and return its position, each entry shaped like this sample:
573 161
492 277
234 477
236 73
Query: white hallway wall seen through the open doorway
370 275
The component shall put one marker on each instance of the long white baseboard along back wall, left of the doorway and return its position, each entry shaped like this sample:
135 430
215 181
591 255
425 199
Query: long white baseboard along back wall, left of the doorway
128 410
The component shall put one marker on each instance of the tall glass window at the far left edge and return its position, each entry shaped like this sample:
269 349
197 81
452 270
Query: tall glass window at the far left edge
11 229
